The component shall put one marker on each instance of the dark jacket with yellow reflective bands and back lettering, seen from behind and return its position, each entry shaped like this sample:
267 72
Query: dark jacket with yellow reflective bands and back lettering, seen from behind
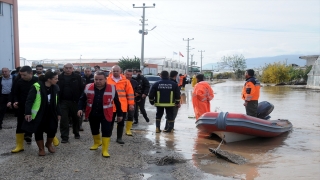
165 87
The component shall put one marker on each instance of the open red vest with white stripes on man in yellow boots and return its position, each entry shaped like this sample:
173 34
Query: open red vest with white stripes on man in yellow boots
107 101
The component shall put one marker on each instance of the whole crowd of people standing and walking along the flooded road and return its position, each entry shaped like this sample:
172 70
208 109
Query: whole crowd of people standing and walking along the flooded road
45 100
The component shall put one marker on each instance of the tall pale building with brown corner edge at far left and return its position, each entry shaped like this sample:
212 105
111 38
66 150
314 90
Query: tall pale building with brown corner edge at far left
9 34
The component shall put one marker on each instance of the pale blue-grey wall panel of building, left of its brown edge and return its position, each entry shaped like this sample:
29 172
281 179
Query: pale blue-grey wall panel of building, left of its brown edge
6 37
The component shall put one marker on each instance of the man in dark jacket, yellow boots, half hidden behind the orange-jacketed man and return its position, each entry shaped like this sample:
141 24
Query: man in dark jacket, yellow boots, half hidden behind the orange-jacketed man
130 115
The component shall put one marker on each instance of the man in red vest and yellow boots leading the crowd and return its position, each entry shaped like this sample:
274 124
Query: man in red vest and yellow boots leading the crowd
99 98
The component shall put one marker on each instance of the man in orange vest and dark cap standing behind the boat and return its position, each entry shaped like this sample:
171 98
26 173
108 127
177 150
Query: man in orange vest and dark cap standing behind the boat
251 93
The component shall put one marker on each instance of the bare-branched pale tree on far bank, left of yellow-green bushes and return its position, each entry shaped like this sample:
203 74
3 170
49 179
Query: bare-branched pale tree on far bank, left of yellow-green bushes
236 62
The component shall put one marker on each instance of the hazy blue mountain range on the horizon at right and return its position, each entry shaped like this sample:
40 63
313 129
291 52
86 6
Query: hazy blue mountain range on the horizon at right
259 62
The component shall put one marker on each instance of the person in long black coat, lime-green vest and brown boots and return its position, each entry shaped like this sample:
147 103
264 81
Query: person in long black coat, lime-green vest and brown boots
42 111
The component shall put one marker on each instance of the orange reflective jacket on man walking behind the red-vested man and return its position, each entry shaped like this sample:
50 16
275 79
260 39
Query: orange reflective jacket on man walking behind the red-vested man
124 90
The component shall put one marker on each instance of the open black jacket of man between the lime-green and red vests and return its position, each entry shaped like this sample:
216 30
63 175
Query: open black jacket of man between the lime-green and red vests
76 84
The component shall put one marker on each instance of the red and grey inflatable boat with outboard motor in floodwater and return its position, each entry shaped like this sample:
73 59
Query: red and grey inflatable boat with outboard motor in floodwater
232 127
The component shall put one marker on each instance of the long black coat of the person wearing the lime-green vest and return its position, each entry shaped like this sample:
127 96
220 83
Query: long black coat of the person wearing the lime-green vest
32 126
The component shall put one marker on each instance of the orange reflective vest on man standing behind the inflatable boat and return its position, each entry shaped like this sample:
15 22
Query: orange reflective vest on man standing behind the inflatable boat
251 89
